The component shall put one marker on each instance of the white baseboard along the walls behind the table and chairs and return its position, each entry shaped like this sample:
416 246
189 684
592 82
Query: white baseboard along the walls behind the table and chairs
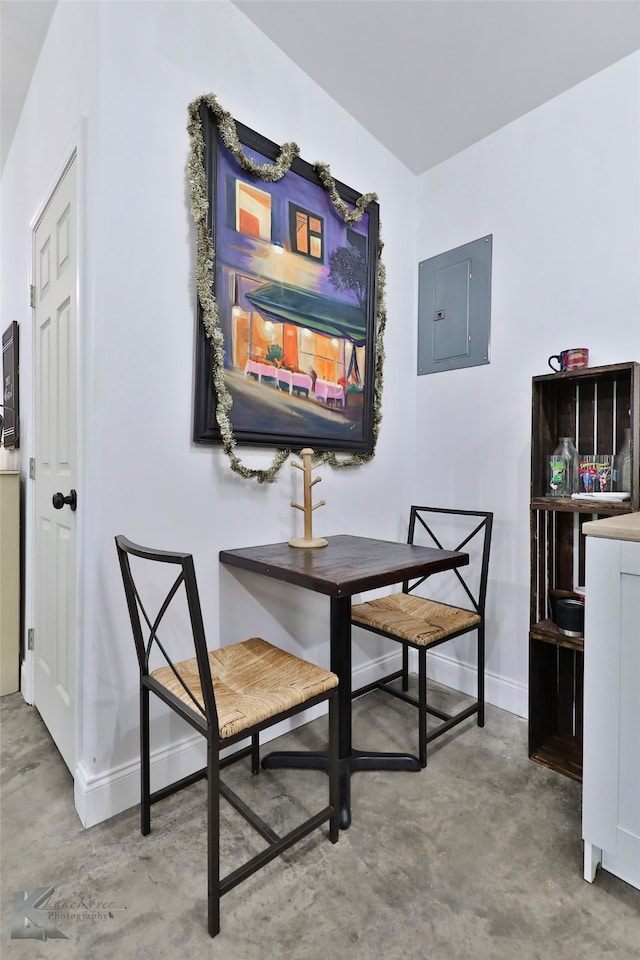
101 796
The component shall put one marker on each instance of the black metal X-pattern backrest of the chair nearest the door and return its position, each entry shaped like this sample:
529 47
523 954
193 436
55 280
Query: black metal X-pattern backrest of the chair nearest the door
145 629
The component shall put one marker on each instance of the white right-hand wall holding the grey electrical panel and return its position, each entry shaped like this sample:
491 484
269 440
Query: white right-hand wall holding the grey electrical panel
559 189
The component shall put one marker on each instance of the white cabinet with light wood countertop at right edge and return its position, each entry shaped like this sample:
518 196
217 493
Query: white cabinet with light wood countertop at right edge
611 764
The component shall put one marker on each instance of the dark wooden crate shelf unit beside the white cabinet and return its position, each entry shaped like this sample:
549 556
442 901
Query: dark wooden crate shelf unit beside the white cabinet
594 406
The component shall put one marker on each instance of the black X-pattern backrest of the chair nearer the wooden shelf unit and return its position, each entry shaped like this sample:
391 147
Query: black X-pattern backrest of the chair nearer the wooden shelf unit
450 529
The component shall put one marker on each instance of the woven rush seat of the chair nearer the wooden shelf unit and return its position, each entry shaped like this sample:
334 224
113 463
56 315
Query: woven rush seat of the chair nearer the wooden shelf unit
418 621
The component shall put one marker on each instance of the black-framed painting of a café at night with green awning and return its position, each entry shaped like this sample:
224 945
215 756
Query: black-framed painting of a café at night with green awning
295 290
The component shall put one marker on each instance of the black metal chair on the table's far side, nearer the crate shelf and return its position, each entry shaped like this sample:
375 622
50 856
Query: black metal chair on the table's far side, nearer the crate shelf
423 624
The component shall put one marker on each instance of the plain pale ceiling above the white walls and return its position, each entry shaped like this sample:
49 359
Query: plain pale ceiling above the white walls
427 78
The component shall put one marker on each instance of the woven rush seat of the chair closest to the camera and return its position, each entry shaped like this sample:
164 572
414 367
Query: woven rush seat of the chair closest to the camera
253 681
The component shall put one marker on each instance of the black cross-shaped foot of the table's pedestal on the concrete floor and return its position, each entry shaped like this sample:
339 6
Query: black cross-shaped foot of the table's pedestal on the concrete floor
358 760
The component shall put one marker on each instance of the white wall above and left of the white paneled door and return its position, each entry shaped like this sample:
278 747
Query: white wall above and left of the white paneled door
61 98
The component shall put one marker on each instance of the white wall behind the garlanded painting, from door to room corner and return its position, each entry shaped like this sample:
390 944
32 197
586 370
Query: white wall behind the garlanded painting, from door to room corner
141 473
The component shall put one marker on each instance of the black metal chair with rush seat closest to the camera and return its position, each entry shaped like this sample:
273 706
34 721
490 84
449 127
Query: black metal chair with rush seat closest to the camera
227 695
